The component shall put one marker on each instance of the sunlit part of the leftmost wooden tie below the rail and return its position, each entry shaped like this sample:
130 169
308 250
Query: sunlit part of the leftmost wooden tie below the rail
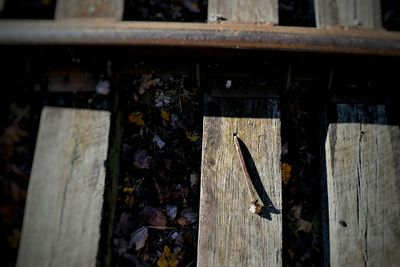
66 189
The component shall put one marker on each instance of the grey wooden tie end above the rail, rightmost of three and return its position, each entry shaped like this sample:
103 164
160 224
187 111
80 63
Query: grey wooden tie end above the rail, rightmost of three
364 13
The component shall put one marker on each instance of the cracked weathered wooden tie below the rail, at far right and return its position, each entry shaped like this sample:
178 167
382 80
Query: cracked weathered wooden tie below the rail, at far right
362 161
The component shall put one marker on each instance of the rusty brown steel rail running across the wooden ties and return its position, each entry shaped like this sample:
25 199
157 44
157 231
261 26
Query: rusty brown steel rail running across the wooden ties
200 35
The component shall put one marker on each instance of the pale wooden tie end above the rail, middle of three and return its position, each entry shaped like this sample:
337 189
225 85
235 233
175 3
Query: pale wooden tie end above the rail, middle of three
243 10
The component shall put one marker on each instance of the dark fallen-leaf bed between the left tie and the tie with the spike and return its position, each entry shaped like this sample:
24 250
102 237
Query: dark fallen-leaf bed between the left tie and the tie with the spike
157 209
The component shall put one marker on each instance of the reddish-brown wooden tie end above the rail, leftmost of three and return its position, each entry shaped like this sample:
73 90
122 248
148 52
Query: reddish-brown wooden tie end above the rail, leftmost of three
112 9
